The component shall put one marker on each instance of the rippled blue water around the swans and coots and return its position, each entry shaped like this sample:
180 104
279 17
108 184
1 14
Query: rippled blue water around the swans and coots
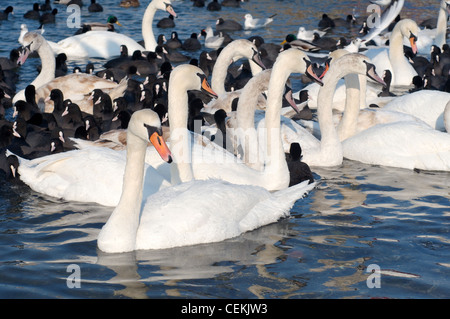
359 215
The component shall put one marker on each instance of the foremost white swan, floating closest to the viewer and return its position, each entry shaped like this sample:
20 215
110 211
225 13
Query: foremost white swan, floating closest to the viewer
182 215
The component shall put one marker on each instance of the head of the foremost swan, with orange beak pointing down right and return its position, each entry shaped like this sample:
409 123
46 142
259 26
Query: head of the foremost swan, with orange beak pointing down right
146 125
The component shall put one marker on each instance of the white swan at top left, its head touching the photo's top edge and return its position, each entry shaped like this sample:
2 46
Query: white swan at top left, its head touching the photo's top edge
104 44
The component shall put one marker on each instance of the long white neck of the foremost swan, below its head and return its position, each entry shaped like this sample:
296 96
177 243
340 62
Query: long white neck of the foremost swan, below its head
119 233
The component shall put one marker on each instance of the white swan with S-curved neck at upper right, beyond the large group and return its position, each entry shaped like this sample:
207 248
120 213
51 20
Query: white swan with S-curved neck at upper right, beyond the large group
394 59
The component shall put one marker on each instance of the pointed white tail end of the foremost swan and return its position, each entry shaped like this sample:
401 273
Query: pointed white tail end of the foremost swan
275 207
